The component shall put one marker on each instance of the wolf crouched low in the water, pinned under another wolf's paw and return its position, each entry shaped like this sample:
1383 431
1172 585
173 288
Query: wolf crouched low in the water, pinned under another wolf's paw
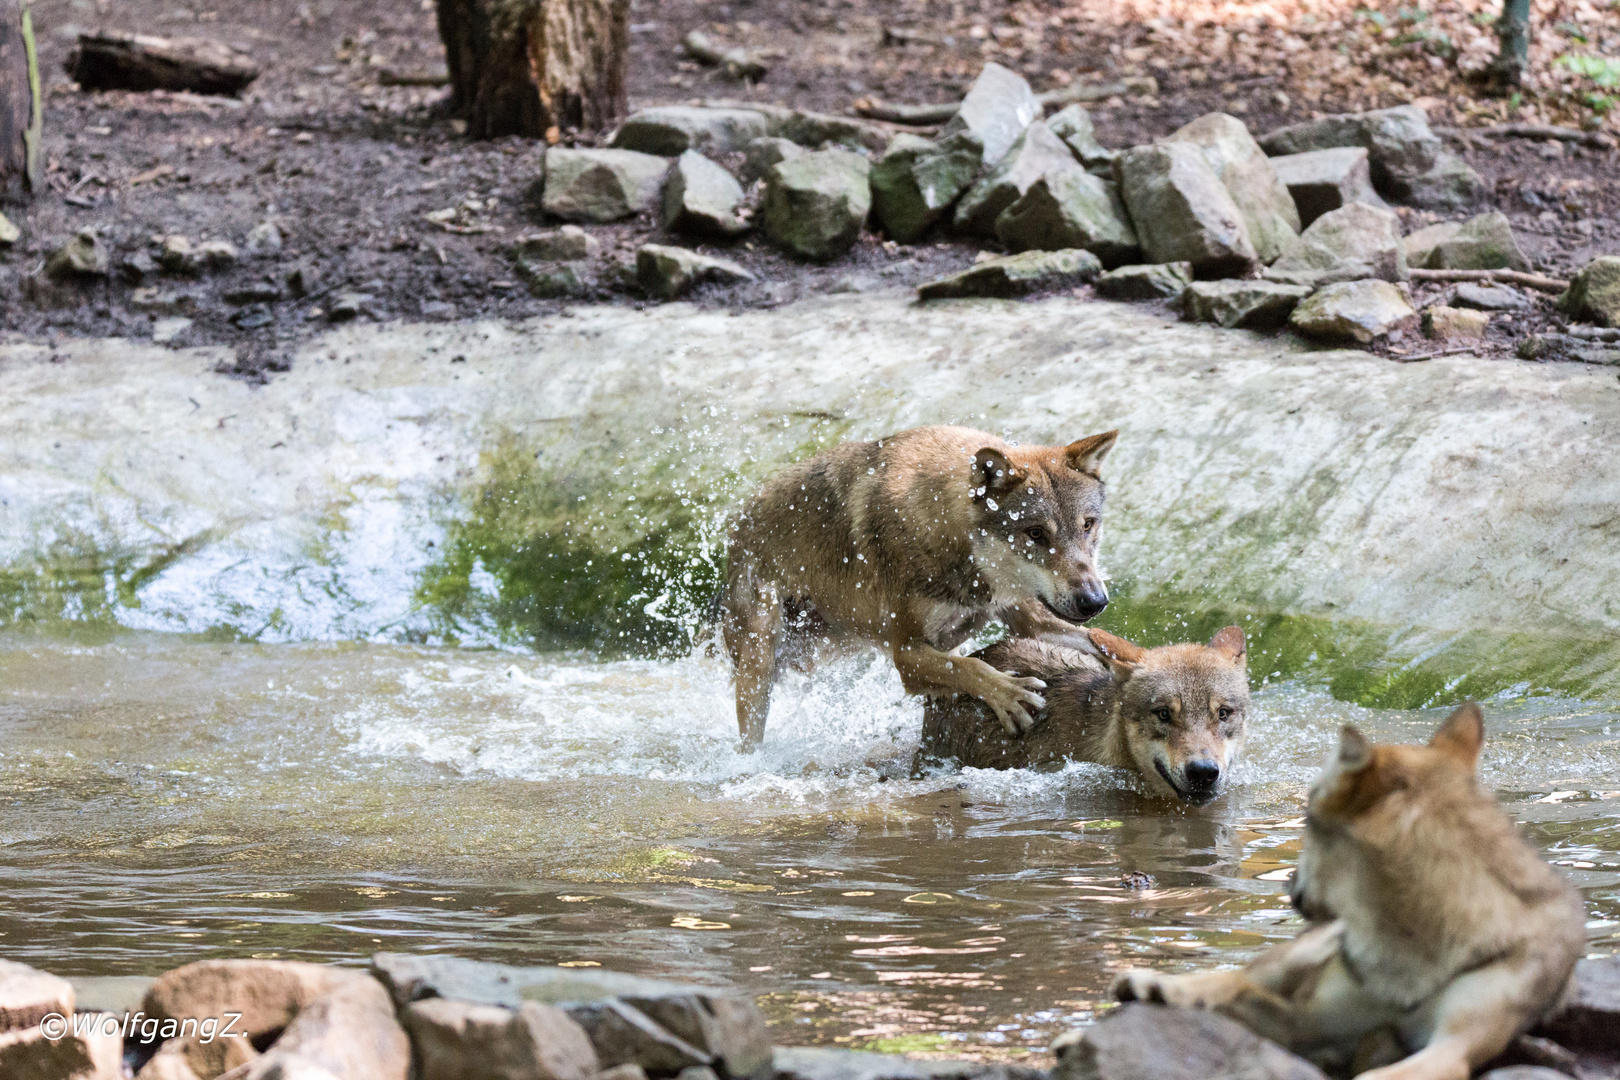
1179 715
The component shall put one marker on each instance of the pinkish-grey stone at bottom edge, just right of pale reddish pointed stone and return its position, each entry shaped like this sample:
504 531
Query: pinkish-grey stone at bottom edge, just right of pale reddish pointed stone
459 1040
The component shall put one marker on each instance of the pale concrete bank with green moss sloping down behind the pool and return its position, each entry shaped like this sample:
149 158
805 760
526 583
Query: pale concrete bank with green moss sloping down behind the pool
565 482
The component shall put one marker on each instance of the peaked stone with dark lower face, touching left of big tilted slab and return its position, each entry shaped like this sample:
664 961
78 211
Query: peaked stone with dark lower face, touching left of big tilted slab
1070 208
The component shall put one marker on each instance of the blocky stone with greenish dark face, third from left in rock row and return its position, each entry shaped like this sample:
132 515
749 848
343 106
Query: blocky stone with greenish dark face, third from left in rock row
816 205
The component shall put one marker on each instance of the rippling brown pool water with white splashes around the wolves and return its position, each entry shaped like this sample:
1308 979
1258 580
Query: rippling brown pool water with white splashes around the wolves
164 799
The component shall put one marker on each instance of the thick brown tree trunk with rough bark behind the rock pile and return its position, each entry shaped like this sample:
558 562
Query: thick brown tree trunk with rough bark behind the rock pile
537 67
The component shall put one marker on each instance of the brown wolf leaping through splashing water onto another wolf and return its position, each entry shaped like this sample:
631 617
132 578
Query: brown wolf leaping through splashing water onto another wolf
913 543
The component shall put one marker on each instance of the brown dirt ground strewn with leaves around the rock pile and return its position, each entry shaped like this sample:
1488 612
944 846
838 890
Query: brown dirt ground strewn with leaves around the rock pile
349 169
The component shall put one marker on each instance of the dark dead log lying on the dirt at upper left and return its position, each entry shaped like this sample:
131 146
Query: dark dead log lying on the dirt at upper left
139 62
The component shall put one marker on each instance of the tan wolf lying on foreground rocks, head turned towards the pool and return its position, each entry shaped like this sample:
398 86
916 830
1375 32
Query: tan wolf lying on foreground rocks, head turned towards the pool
1438 930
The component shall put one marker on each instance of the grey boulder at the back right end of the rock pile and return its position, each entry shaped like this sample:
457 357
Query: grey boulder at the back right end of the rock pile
1409 161
